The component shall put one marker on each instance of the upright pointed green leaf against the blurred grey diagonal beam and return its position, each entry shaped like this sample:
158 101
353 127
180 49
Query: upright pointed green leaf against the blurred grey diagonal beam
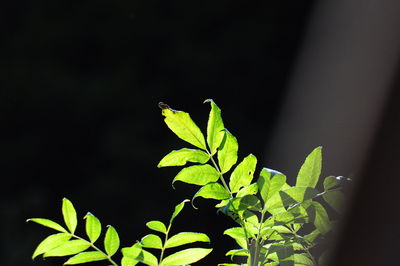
311 169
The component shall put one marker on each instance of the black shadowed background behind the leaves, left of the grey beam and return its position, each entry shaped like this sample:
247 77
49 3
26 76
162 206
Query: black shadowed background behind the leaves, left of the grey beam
80 83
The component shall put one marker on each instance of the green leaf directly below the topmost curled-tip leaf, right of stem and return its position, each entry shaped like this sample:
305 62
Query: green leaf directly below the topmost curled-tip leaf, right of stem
227 154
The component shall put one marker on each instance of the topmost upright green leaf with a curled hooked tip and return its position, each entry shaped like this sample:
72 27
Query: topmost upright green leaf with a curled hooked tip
215 126
